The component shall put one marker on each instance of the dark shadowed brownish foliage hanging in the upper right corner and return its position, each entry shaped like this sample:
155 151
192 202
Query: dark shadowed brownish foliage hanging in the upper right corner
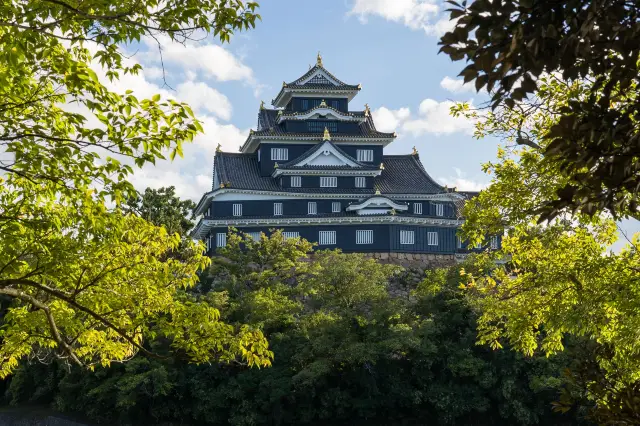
509 45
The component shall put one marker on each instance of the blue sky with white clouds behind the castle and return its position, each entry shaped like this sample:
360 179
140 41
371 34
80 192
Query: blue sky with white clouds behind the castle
388 46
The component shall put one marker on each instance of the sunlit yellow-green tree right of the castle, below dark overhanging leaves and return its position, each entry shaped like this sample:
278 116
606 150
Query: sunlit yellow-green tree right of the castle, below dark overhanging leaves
559 278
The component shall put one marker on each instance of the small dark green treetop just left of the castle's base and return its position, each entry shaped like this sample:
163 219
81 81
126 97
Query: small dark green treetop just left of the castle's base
162 208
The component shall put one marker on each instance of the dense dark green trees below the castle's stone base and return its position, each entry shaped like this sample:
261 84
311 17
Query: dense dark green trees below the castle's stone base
355 342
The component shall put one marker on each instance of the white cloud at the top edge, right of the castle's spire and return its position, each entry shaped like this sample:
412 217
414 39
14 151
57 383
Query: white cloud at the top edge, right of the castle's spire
415 14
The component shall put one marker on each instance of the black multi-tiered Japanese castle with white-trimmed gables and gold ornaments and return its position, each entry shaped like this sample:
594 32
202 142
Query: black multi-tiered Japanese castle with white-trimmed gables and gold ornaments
317 169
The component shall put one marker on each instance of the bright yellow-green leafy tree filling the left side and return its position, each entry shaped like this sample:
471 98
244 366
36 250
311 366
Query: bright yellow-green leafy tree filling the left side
86 281
